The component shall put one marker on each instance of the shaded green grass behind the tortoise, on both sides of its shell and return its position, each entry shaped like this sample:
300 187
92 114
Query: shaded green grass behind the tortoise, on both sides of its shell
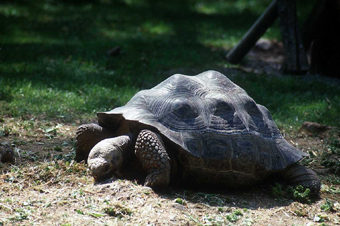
54 63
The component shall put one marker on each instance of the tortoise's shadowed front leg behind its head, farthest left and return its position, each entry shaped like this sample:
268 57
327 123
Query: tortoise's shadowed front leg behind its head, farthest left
87 136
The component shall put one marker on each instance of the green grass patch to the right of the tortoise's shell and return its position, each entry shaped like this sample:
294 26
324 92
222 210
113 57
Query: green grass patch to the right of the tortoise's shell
292 103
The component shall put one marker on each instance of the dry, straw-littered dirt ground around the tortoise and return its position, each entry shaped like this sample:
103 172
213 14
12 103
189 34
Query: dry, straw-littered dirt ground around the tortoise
46 187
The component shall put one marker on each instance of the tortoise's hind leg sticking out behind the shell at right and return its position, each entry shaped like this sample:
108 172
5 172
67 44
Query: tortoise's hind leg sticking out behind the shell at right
297 174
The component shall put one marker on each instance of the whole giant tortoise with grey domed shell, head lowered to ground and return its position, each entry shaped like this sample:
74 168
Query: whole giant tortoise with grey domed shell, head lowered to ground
201 129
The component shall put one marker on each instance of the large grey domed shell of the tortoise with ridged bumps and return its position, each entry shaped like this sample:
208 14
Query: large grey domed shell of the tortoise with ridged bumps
218 126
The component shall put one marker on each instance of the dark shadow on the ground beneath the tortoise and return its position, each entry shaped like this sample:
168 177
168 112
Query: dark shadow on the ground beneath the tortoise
252 198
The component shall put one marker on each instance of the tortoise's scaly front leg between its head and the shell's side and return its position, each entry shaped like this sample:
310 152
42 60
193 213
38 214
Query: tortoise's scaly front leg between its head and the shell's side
150 150
